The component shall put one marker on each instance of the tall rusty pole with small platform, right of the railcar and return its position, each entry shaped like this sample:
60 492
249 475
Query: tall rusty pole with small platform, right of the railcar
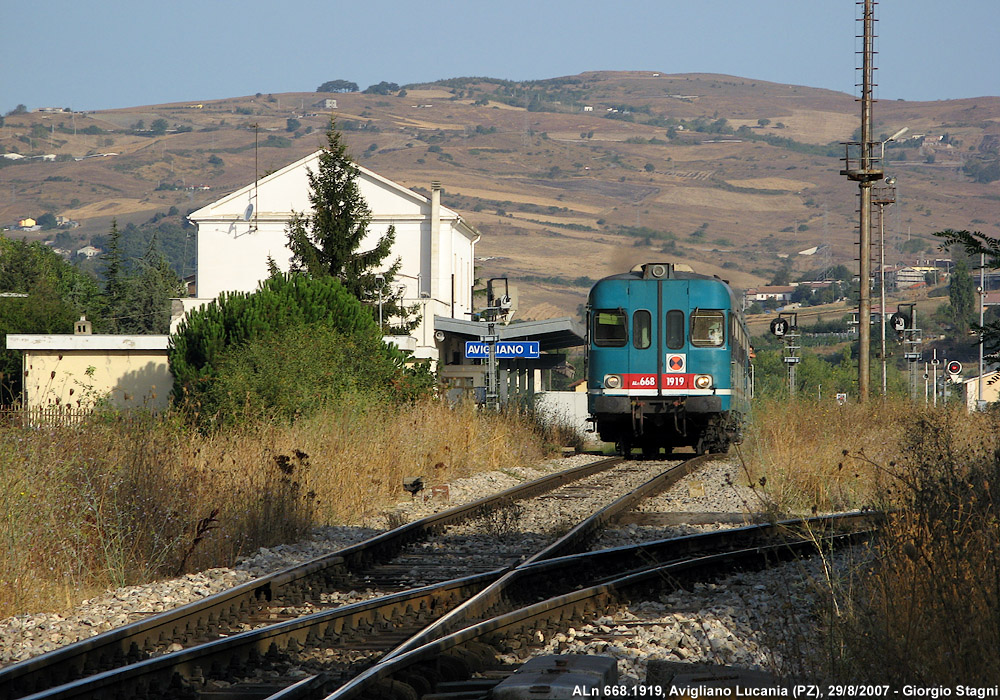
863 167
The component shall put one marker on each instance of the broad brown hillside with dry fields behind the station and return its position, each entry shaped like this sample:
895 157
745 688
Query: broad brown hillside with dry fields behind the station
568 179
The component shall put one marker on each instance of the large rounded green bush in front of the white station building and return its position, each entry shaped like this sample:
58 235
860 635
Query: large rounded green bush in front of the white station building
294 344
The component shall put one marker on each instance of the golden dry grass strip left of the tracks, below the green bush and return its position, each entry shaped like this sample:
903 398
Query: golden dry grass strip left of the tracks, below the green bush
126 500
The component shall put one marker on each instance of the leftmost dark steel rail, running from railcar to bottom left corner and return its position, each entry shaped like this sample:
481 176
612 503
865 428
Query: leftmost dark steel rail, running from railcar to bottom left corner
202 618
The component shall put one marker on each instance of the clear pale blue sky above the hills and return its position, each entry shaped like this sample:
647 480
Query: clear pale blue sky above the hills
114 53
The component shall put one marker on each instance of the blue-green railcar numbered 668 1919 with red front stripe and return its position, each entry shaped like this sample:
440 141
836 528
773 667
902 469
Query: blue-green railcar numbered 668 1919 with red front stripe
668 360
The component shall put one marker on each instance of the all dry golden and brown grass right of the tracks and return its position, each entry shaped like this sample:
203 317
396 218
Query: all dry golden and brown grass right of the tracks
922 604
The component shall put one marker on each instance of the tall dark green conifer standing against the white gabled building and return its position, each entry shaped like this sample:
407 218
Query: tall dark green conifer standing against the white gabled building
328 241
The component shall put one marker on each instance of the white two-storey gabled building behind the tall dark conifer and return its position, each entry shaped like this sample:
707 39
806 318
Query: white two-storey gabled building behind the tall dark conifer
238 233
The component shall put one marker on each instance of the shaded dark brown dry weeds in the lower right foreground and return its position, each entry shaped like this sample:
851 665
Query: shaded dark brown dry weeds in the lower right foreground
926 609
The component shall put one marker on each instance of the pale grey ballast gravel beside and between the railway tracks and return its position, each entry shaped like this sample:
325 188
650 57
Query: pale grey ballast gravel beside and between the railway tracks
728 622
